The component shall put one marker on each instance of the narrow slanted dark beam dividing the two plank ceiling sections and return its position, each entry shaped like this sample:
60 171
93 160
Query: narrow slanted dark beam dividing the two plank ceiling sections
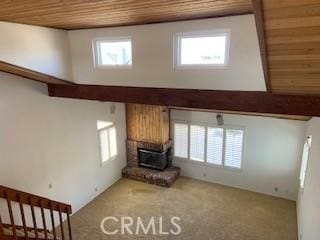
259 19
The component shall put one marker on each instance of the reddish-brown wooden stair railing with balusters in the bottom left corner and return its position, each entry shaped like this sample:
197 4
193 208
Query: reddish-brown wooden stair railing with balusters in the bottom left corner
12 231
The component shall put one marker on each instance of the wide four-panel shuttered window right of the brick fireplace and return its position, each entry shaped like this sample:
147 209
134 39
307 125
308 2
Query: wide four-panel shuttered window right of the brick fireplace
221 146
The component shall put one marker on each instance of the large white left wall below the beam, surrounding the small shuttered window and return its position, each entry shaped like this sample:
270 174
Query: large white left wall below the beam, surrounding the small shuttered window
54 141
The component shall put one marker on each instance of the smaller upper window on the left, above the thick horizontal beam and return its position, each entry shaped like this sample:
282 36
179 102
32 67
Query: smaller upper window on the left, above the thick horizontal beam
113 52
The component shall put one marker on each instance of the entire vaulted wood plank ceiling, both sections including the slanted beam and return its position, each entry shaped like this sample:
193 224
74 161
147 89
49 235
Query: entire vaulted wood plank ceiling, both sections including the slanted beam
289 30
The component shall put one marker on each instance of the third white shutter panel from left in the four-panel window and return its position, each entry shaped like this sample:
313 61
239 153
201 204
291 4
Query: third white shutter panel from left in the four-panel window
214 145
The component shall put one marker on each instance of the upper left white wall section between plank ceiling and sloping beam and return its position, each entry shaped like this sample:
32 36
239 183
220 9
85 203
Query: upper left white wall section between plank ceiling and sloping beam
41 49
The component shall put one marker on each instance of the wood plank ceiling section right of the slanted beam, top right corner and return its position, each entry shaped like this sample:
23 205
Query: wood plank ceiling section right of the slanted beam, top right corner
292 29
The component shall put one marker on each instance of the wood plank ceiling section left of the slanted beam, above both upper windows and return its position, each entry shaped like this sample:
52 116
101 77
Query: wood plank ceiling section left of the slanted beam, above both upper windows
75 14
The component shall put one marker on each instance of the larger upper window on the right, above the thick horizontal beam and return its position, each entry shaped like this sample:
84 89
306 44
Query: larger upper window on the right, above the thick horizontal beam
210 49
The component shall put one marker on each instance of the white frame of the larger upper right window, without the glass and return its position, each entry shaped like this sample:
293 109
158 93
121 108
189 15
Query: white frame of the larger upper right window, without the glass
212 33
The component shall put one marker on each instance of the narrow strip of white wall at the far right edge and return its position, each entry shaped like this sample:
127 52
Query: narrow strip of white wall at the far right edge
309 198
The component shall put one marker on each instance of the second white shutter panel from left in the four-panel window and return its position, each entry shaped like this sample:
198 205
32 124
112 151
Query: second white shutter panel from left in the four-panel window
197 142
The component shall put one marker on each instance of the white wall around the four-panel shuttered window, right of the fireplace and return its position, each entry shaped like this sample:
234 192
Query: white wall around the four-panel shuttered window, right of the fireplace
272 154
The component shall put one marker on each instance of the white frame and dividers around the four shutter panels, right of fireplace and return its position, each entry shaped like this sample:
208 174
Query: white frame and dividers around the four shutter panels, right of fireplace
206 125
